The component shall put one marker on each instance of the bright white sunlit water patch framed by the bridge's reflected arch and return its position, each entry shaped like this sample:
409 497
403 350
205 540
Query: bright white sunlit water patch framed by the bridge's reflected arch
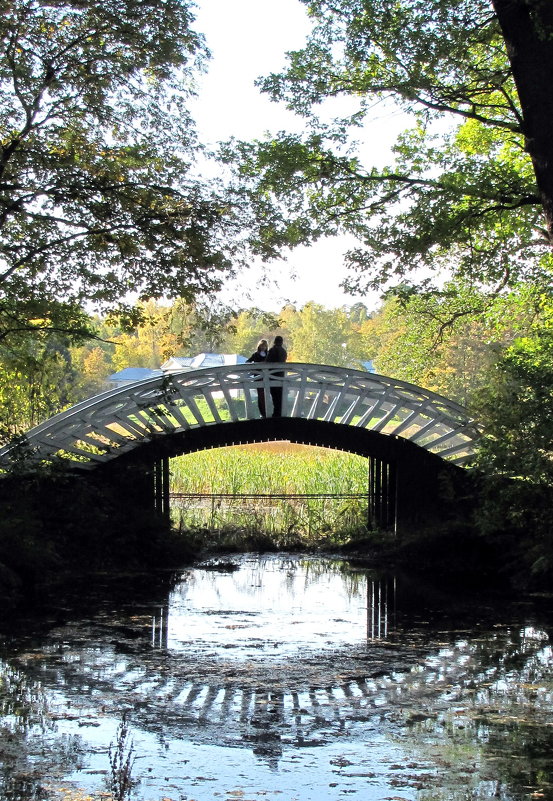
267 609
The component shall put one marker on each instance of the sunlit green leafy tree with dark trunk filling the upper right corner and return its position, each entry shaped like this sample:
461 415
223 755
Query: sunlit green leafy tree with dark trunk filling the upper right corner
471 198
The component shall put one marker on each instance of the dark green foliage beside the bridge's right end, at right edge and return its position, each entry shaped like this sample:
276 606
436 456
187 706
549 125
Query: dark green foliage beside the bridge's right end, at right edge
517 452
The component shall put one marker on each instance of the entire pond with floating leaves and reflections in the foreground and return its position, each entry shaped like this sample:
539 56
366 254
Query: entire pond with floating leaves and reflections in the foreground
282 676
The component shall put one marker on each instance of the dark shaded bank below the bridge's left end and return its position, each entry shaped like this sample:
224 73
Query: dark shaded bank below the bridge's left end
57 526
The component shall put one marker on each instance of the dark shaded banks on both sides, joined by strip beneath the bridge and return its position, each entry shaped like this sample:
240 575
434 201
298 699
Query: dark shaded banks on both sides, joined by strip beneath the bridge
57 526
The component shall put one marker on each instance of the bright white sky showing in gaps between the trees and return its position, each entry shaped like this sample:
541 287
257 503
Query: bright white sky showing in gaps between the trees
248 39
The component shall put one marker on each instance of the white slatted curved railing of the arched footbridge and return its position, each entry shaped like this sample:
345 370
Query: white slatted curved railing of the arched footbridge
108 425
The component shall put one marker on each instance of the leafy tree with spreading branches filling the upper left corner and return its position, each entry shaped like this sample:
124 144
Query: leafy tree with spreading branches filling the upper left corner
97 192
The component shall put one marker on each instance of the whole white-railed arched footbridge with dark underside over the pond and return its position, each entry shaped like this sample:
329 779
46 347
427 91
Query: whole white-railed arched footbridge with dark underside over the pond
379 417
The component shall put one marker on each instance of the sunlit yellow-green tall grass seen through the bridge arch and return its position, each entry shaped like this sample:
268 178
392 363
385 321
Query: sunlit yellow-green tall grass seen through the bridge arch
279 468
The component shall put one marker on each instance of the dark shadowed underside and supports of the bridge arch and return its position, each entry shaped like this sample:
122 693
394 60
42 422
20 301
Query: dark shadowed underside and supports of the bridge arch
406 484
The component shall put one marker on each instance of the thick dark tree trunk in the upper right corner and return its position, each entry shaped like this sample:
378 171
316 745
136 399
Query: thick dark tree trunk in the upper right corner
527 27
